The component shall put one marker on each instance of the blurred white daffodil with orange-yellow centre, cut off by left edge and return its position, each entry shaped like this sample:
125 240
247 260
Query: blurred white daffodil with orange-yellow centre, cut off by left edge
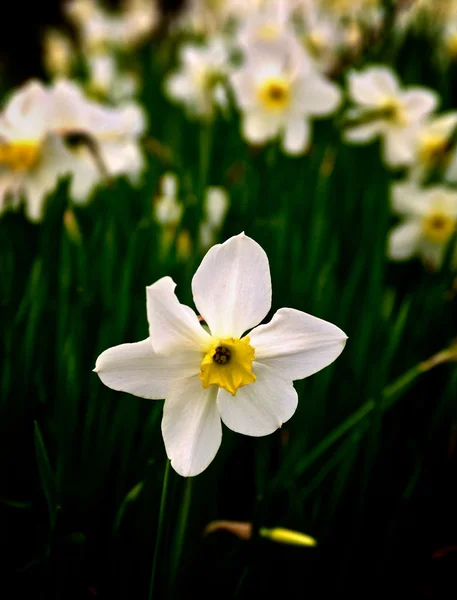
32 159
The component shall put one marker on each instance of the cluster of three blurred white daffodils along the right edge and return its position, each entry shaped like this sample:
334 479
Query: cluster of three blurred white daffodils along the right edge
423 144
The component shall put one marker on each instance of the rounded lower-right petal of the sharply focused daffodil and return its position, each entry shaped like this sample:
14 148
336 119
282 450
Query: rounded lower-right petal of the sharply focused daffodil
260 407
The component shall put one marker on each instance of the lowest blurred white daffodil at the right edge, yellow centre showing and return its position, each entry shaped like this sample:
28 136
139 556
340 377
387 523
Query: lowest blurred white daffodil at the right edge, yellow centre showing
429 222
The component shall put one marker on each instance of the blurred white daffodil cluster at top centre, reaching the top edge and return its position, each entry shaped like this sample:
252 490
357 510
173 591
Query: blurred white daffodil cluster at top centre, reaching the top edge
277 84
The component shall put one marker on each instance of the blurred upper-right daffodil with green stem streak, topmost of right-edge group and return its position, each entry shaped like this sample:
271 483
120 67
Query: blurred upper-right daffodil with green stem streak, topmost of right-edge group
388 111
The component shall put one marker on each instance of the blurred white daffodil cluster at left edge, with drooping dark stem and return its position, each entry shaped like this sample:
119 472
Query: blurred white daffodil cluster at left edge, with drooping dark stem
47 133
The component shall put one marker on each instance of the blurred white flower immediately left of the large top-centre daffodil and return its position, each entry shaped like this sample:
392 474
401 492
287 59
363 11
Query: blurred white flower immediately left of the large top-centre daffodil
198 82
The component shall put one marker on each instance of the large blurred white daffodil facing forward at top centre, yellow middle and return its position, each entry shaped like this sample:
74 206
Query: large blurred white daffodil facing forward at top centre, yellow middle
278 95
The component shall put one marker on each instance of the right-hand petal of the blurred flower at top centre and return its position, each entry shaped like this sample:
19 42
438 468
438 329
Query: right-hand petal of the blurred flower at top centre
318 96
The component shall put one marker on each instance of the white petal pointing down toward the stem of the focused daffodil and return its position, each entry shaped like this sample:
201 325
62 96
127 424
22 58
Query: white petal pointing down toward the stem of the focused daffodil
191 426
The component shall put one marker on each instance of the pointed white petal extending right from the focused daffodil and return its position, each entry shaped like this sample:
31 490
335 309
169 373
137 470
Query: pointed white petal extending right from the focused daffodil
296 344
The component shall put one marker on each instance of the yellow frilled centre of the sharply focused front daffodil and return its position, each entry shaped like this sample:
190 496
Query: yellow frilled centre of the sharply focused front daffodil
228 364
